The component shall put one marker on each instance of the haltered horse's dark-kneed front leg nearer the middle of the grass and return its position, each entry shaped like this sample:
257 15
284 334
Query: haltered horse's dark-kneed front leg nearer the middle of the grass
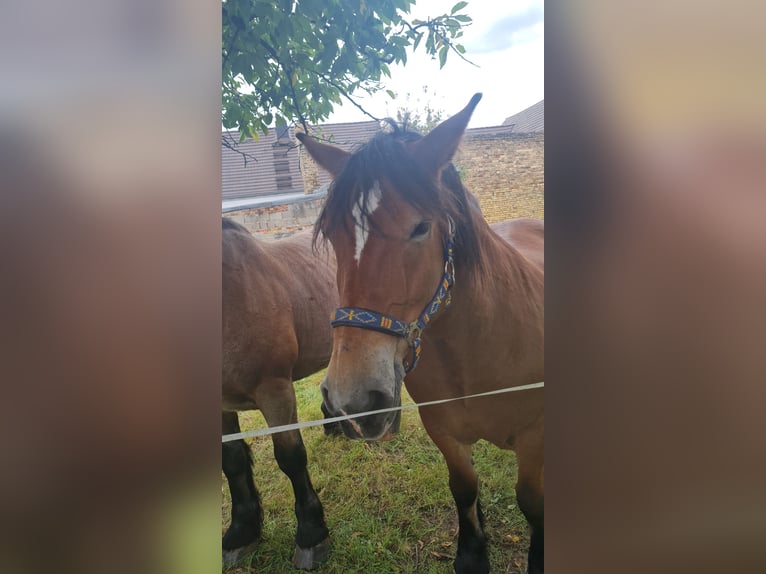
464 484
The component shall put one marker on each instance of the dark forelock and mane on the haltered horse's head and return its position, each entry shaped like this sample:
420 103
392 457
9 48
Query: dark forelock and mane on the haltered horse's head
386 156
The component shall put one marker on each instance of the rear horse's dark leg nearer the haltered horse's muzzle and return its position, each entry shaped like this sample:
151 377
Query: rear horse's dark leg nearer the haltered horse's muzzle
276 399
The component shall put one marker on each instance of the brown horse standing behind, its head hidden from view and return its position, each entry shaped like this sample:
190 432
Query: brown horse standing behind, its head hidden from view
277 297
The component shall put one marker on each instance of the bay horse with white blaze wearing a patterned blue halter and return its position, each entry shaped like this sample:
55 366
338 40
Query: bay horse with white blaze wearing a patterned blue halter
424 280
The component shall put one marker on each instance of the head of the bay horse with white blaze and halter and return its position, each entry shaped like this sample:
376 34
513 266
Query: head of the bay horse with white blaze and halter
394 212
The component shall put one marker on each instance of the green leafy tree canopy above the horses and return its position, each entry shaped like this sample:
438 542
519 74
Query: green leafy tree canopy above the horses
297 59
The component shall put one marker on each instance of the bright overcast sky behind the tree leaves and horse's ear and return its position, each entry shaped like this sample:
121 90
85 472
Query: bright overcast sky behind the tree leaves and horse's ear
505 40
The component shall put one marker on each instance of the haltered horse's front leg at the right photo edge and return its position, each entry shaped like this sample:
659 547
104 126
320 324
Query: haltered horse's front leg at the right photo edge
530 492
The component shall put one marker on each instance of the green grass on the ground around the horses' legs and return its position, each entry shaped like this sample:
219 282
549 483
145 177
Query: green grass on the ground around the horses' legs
387 505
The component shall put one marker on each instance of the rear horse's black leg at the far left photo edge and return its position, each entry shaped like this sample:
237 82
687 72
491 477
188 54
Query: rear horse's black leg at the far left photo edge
246 513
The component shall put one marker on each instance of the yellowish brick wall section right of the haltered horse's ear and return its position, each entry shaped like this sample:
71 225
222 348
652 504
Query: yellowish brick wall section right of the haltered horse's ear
505 172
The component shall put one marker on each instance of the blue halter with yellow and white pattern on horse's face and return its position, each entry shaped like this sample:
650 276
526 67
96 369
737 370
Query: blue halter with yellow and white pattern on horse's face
411 332
